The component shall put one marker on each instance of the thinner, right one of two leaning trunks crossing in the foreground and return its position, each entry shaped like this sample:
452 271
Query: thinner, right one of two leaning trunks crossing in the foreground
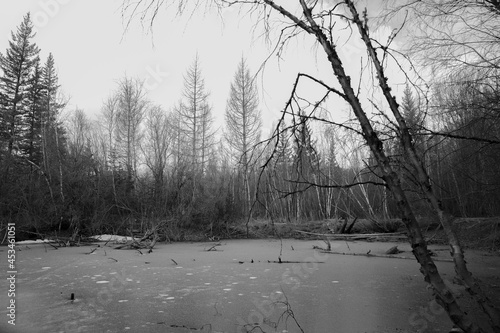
472 285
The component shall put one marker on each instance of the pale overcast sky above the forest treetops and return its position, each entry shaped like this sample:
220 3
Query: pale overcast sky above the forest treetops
92 51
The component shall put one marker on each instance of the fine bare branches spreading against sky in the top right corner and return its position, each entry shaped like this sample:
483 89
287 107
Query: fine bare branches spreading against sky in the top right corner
450 35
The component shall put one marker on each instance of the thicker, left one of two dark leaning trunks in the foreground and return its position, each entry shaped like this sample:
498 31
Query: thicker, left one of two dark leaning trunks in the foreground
442 293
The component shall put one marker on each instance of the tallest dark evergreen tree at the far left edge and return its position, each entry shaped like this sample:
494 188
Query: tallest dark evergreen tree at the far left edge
17 66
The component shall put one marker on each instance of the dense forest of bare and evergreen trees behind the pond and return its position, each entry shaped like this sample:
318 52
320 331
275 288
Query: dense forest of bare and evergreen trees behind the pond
140 164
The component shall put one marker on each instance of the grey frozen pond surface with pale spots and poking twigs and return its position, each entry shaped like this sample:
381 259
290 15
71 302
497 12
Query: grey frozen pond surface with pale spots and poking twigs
183 287
